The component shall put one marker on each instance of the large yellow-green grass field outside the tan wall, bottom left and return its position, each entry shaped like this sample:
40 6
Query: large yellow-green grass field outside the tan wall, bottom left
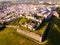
8 36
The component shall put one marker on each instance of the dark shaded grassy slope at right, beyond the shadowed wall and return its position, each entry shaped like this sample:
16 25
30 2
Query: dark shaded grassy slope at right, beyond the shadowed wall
54 33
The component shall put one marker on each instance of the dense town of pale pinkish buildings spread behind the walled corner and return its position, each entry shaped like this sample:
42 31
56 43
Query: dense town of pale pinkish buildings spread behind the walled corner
23 10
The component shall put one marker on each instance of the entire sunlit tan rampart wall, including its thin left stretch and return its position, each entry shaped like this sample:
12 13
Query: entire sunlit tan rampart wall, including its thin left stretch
27 33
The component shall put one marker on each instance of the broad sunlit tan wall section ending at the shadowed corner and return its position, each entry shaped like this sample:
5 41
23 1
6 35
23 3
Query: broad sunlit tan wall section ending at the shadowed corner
30 34
